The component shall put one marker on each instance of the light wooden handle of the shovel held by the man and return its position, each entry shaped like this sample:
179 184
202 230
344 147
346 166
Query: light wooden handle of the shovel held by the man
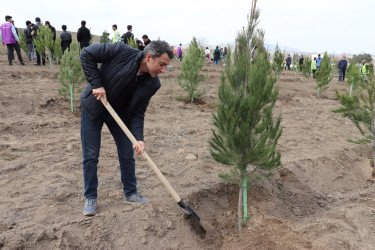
161 177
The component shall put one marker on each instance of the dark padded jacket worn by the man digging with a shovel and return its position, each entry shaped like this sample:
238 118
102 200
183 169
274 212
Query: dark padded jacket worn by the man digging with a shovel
127 93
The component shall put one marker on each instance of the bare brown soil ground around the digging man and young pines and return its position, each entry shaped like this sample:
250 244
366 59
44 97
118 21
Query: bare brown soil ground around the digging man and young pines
322 197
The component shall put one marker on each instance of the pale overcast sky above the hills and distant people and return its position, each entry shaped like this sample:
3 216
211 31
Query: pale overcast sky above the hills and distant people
335 26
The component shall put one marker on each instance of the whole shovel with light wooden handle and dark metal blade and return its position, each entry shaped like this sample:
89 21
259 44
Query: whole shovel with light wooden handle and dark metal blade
190 212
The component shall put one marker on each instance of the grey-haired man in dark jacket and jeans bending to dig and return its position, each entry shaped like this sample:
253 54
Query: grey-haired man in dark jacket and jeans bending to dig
127 78
